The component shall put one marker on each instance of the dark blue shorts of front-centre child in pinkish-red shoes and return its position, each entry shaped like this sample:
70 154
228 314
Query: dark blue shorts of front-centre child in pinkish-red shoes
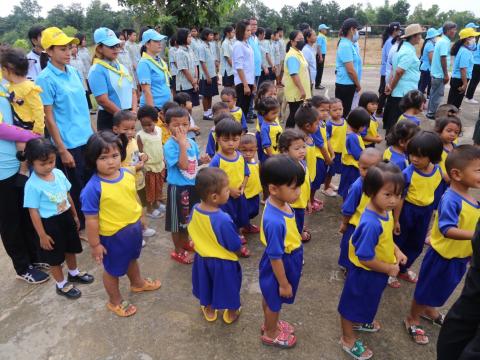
268 282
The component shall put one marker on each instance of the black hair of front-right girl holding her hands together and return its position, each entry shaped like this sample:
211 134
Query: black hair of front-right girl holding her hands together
381 174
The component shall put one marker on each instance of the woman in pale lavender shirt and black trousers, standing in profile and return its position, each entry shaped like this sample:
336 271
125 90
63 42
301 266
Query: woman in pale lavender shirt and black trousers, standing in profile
243 66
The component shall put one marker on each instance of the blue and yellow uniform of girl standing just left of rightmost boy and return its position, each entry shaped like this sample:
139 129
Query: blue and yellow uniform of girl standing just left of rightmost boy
420 191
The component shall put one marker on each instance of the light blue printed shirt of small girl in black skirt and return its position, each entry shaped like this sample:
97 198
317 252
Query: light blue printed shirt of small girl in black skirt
48 197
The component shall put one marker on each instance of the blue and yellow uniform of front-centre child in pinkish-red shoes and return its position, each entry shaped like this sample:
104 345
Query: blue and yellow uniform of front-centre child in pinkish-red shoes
279 233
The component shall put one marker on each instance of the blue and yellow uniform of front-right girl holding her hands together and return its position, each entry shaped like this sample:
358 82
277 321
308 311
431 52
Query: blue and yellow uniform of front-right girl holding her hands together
363 287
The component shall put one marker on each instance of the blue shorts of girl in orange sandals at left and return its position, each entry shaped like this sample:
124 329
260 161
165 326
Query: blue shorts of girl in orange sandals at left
122 248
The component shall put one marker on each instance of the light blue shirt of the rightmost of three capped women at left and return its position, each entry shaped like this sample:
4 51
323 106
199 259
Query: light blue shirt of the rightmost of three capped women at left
149 74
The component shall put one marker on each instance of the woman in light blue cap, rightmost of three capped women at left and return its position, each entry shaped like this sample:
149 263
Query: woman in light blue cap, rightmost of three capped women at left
152 71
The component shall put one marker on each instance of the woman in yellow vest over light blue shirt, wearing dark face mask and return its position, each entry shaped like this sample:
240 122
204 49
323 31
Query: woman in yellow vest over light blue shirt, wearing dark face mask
296 76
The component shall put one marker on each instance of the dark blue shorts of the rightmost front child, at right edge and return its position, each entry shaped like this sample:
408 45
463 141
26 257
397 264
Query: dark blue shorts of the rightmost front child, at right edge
438 278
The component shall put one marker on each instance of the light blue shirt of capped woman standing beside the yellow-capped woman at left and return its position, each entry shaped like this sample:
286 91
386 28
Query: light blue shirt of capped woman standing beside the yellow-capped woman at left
104 81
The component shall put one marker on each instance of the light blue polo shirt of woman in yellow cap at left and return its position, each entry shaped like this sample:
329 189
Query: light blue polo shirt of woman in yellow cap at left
64 91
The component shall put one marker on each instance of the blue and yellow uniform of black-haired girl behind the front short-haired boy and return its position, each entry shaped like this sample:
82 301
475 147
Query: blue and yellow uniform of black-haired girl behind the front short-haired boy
236 170
